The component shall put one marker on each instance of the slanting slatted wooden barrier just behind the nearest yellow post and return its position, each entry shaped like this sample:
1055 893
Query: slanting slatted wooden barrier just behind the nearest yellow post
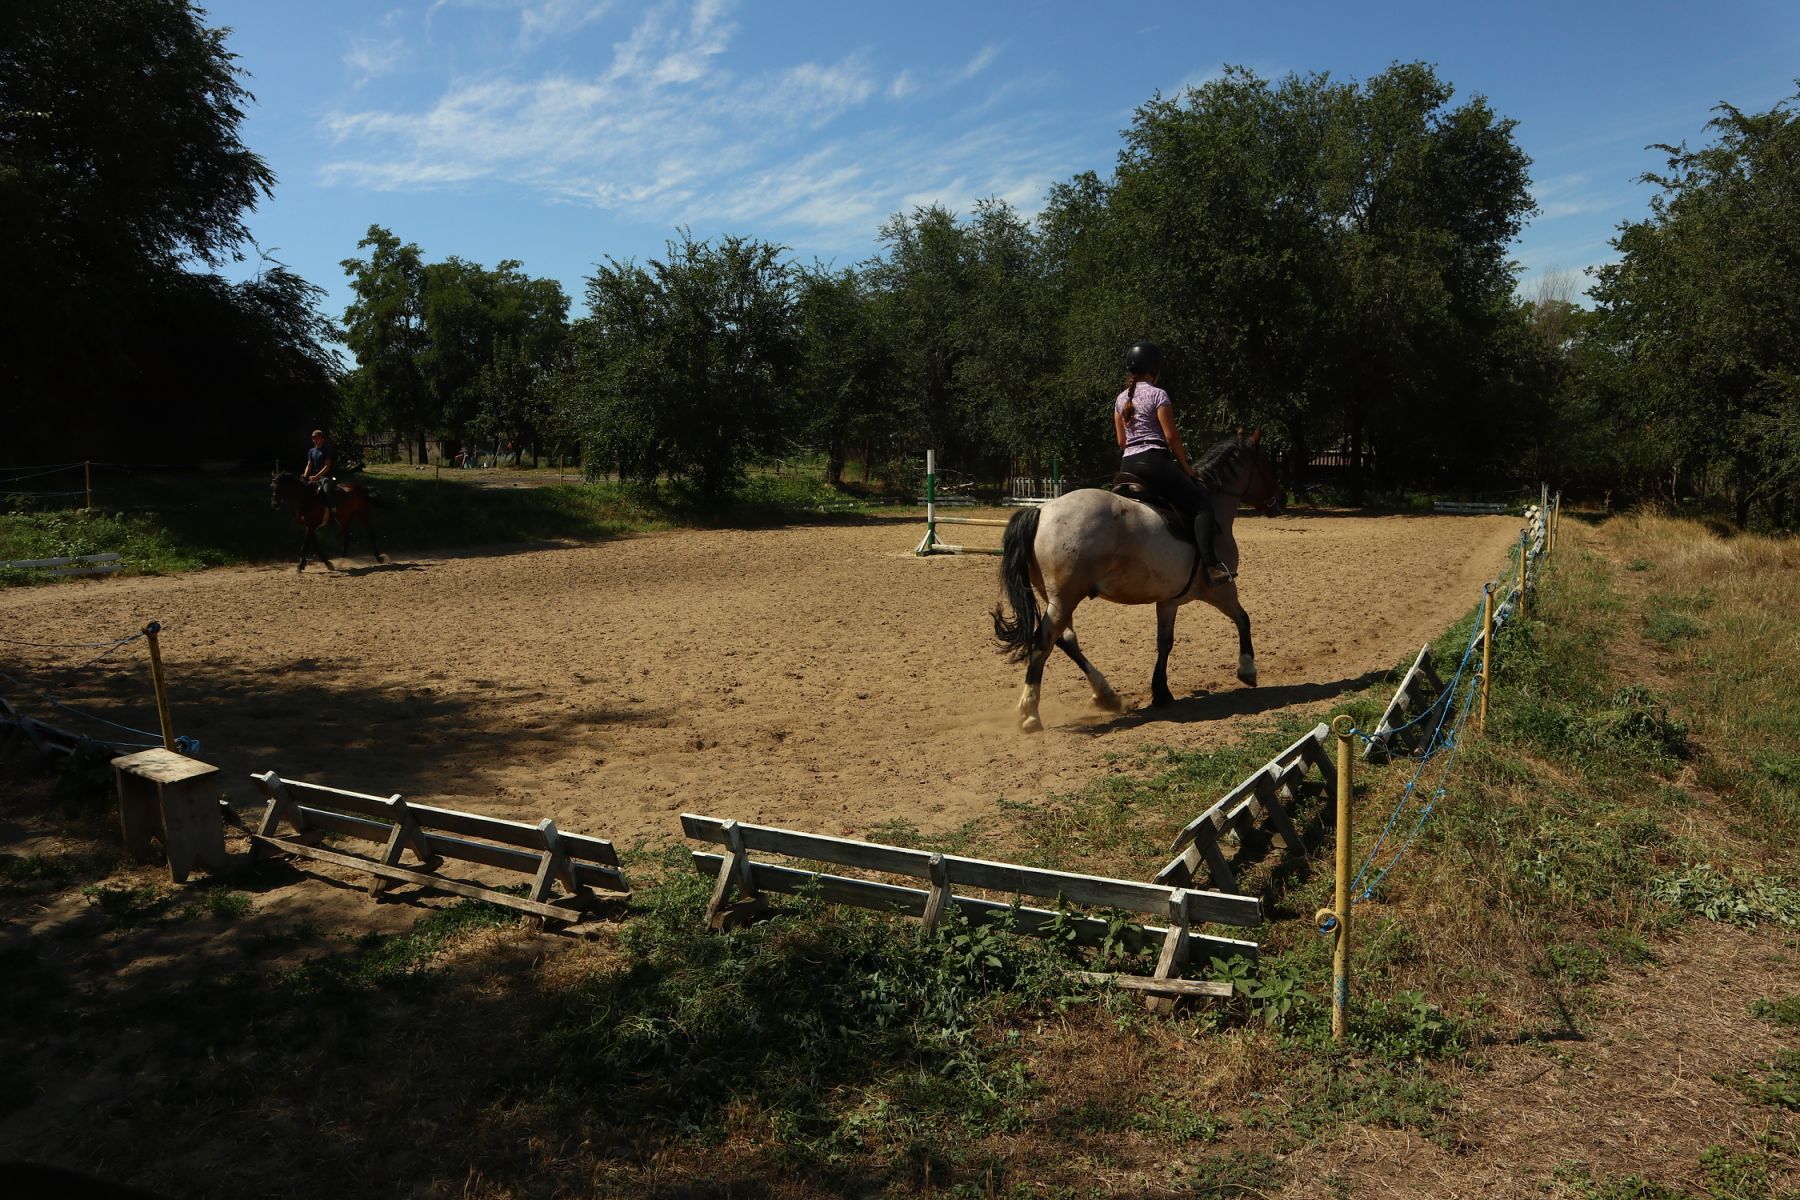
1257 809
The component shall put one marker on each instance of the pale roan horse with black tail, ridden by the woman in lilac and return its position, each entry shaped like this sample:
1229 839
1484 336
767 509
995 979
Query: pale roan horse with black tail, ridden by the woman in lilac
1093 544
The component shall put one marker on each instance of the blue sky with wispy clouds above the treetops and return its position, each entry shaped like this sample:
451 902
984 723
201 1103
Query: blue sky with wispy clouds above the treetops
562 132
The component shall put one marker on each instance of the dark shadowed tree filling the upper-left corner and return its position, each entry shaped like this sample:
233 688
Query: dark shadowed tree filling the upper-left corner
121 168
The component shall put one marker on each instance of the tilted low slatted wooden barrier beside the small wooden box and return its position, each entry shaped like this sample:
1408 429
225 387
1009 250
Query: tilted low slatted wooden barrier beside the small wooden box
541 852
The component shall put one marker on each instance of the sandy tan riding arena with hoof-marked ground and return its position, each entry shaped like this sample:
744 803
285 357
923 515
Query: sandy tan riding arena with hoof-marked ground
814 677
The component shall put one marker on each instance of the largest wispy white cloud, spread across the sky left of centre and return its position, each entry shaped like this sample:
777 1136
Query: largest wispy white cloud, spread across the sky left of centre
667 132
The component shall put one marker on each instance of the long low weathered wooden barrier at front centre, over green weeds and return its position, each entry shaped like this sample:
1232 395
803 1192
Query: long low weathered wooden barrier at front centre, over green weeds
1183 908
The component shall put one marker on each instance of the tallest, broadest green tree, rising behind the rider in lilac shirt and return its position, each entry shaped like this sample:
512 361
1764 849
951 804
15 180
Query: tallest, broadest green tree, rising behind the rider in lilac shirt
1318 256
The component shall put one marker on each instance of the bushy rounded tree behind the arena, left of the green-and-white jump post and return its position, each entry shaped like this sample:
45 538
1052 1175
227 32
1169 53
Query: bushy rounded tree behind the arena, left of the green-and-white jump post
688 361
